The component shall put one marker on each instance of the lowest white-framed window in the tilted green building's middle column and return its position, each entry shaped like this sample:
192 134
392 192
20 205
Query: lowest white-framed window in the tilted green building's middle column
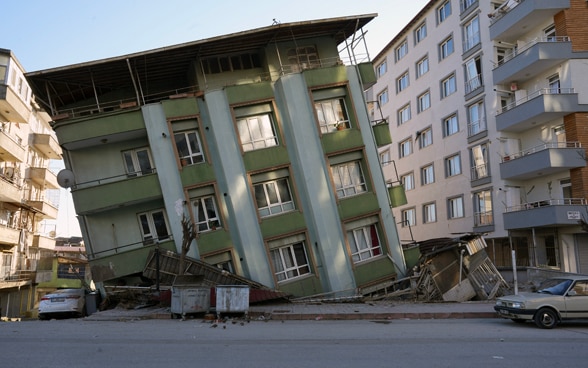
290 261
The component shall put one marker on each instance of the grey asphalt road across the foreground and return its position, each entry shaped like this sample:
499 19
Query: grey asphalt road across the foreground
195 343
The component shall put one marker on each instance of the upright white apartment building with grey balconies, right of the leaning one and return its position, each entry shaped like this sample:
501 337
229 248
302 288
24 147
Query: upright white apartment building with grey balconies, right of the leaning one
486 102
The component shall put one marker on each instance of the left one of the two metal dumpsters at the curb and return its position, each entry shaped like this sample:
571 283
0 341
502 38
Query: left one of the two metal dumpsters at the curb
189 296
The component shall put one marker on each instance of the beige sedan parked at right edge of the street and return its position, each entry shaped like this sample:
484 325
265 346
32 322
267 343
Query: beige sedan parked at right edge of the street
556 299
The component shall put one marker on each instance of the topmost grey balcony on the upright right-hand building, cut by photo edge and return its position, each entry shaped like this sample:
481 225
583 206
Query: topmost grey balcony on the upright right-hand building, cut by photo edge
515 18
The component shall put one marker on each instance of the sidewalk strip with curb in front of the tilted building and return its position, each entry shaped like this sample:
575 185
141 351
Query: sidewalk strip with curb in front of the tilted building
328 311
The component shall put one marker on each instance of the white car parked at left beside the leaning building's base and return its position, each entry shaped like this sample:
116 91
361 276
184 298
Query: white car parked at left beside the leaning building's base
63 303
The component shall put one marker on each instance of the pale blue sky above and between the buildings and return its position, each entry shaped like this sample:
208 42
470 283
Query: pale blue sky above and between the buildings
46 34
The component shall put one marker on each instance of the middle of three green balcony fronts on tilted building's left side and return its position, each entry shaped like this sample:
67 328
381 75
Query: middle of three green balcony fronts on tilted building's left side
109 193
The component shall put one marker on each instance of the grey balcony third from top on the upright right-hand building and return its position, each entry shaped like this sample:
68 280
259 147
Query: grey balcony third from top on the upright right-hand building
537 108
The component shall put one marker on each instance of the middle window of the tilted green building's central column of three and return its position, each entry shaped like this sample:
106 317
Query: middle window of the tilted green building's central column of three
273 197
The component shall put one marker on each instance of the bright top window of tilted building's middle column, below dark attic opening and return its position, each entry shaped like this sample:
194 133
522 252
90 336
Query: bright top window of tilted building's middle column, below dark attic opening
257 132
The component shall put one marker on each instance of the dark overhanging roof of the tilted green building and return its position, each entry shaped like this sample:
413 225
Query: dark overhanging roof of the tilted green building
76 82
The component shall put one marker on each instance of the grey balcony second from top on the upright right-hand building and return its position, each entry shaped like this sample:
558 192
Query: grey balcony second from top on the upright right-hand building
532 59
